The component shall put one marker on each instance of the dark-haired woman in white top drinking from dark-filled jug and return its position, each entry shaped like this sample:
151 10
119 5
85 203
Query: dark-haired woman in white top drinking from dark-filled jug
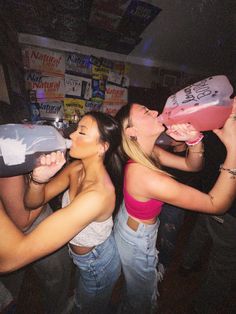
86 219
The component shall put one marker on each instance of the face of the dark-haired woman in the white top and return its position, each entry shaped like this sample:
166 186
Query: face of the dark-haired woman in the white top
85 140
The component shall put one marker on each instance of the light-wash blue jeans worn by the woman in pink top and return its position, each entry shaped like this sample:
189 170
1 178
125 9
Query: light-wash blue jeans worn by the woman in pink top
138 255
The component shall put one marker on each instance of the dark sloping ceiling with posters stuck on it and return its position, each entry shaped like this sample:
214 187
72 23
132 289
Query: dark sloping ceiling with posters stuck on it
188 35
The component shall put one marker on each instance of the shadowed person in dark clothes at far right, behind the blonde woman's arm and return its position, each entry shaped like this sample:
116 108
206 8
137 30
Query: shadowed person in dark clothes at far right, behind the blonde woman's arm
219 233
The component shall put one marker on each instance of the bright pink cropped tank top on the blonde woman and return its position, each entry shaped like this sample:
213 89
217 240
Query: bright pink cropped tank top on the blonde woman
138 209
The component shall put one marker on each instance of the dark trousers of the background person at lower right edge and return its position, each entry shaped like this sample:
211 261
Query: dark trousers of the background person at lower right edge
221 272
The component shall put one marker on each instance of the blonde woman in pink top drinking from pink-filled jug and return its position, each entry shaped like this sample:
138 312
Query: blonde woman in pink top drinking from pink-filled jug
146 187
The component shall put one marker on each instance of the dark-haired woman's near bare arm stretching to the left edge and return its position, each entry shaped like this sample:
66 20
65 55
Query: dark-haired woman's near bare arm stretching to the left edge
17 250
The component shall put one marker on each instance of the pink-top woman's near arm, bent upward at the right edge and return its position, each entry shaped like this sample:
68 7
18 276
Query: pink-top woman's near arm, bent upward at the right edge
218 200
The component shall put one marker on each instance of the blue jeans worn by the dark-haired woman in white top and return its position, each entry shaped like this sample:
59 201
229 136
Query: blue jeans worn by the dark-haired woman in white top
98 272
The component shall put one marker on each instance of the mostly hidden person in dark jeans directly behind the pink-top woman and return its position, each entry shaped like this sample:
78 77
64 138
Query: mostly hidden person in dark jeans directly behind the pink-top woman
172 217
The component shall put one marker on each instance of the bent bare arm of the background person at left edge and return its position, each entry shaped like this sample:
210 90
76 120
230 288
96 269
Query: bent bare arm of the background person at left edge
11 200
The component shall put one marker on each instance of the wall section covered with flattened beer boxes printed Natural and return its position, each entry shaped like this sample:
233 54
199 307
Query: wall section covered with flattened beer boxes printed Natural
64 86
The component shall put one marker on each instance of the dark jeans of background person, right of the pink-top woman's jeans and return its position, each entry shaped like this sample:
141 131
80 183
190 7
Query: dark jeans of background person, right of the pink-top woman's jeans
171 219
